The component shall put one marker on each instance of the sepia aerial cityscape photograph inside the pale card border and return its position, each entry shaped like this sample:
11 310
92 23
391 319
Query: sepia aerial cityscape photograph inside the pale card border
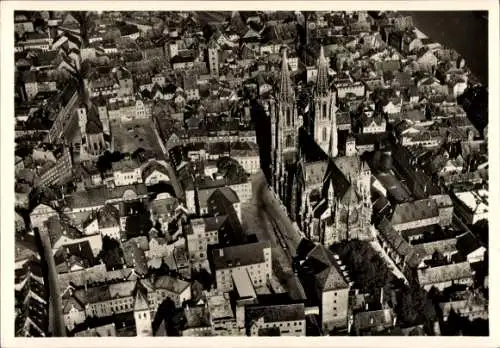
251 173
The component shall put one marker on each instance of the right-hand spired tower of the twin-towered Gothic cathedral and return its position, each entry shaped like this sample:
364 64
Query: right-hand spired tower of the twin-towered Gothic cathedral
325 125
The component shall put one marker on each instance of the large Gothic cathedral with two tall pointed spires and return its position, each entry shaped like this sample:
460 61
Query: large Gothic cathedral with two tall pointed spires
327 195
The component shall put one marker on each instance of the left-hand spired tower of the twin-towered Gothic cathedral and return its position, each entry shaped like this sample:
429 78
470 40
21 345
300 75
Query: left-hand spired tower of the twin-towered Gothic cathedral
286 125
